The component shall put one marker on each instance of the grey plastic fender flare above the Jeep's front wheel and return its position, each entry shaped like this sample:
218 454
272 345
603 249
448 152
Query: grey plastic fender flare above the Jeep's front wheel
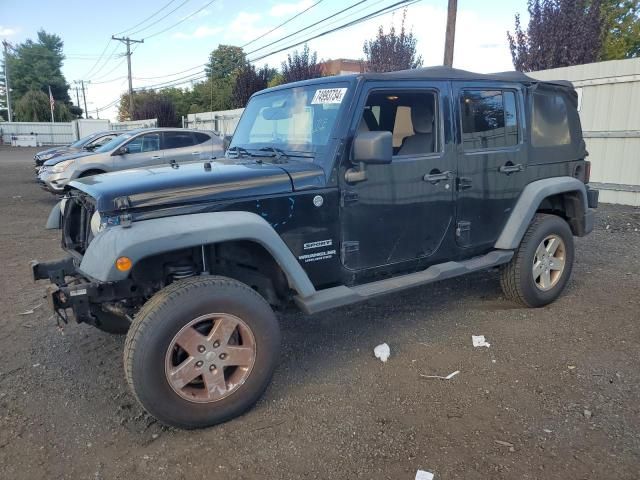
152 237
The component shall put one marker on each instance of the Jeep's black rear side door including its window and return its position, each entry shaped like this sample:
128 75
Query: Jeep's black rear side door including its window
491 160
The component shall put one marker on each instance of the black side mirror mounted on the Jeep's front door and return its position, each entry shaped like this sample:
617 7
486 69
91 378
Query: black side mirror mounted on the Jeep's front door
374 148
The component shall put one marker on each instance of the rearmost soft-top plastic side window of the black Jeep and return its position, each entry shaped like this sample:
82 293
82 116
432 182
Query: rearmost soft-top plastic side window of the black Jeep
550 123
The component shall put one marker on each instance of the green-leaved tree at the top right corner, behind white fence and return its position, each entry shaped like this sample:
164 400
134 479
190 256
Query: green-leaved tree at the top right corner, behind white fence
622 29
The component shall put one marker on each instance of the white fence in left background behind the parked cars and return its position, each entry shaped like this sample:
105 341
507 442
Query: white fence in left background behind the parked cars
63 133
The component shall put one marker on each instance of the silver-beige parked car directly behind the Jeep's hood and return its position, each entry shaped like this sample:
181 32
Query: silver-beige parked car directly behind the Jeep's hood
143 147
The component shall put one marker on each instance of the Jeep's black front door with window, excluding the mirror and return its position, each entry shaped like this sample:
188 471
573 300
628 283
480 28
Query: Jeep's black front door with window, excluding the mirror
402 211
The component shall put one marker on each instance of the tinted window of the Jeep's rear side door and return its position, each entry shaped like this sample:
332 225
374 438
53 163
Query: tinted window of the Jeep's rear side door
489 119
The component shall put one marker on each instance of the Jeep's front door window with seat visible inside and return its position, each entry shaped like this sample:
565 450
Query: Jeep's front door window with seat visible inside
410 116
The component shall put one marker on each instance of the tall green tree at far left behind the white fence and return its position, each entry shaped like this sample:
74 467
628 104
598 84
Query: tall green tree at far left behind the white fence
38 66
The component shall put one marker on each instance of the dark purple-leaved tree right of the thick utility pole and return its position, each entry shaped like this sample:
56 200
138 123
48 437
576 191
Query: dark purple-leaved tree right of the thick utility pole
560 33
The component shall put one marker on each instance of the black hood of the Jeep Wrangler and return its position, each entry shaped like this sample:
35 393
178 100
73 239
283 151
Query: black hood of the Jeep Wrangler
163 186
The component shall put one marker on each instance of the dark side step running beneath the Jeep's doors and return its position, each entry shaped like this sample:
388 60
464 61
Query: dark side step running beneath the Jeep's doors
340 296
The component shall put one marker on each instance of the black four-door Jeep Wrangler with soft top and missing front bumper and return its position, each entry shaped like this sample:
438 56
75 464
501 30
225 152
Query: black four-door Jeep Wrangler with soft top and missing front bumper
332 191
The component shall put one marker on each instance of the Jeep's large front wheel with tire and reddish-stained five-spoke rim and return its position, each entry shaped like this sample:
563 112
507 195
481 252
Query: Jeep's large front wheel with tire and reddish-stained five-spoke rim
190 310
